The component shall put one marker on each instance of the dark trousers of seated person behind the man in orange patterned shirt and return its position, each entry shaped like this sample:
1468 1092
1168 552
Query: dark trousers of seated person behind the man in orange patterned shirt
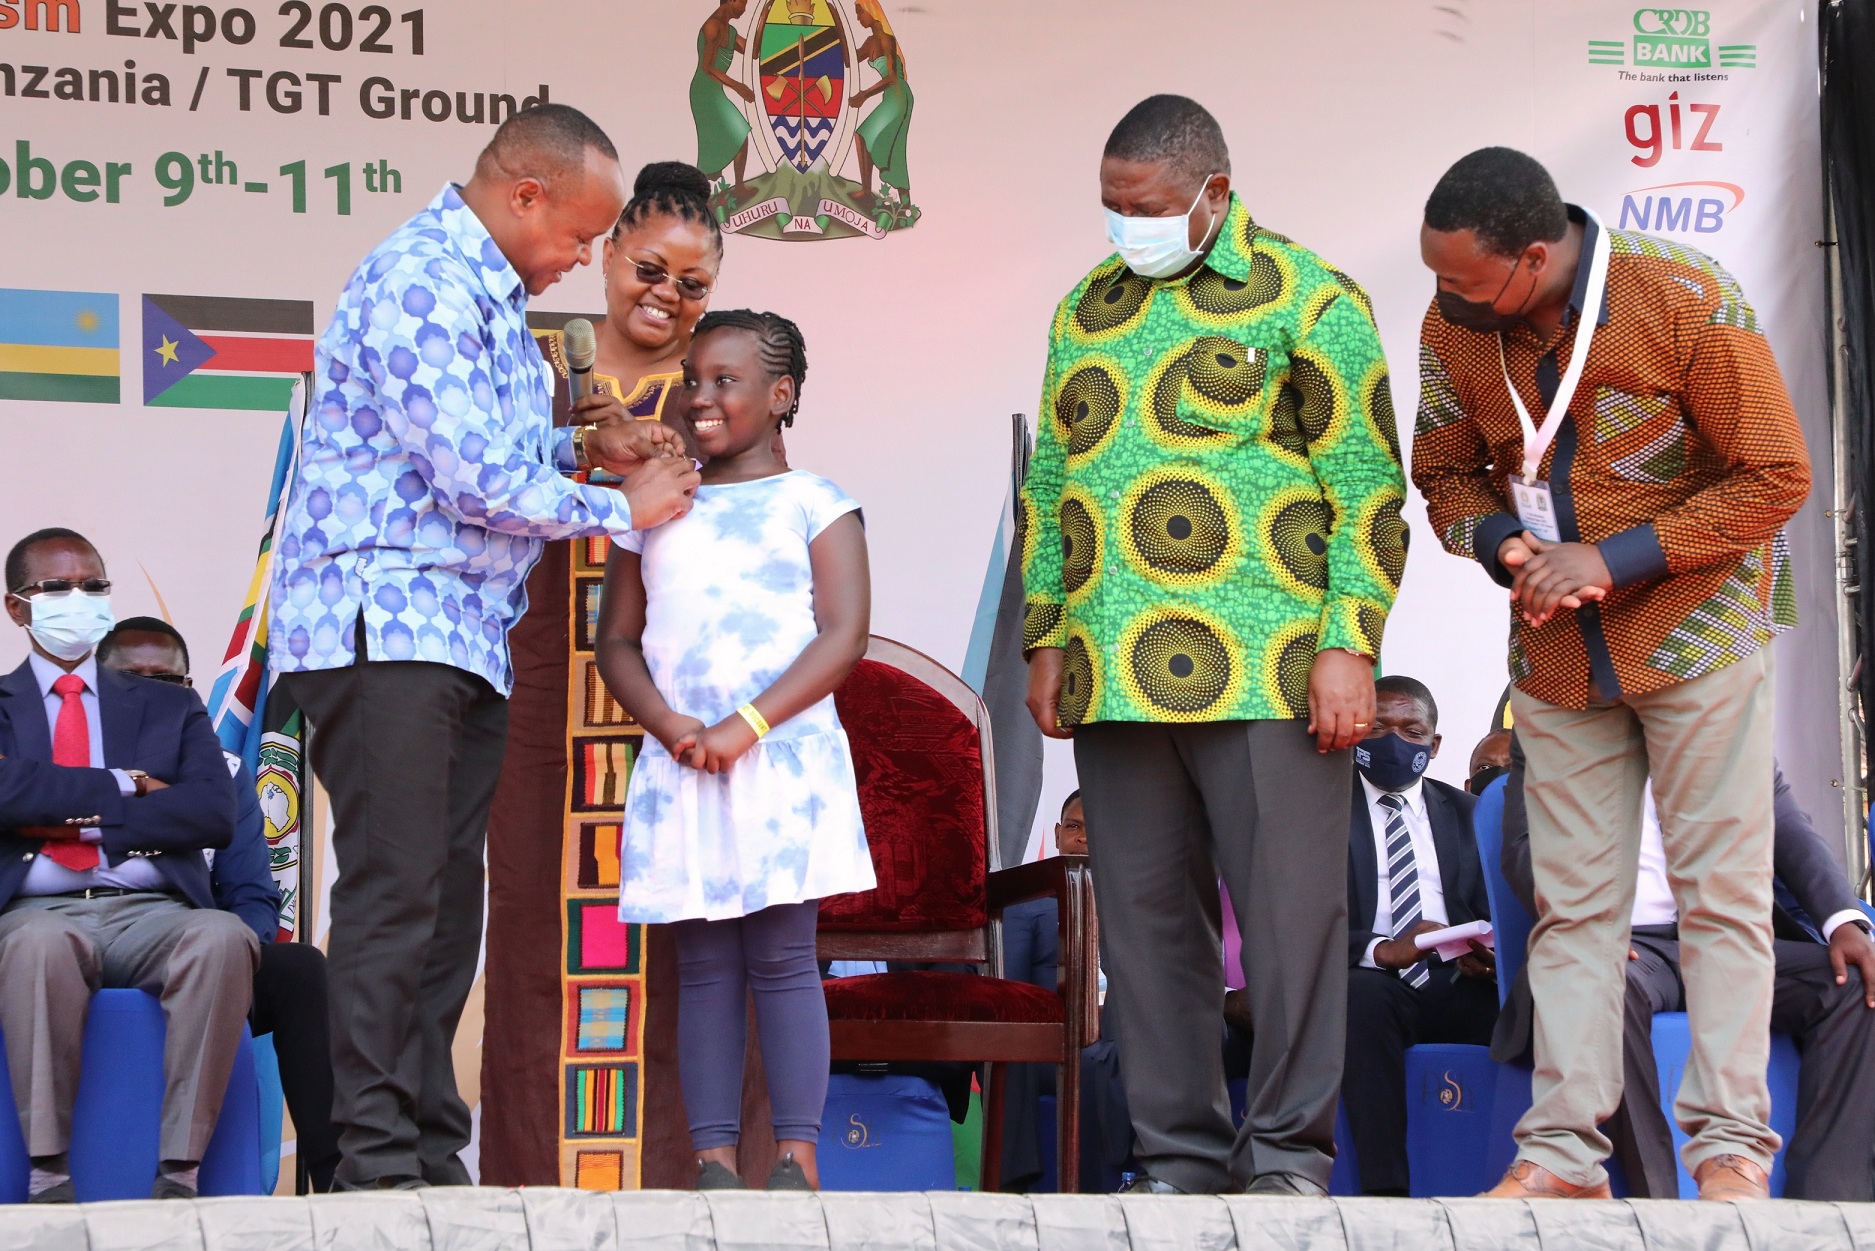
1833 1153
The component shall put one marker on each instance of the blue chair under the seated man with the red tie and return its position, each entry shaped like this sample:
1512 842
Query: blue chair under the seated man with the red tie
119 1113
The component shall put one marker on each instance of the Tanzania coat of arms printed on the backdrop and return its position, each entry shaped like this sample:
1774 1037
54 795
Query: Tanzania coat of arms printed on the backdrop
803 93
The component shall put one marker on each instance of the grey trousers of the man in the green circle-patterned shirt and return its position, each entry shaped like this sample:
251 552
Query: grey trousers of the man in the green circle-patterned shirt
1173 809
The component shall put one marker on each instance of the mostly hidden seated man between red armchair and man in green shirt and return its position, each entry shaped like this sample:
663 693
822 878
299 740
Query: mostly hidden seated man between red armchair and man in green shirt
1032 954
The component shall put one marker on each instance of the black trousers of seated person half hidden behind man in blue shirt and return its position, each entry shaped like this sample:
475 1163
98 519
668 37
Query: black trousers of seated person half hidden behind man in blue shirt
290 1002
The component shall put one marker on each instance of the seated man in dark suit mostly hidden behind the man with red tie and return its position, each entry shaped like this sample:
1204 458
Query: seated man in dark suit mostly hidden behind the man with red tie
290 989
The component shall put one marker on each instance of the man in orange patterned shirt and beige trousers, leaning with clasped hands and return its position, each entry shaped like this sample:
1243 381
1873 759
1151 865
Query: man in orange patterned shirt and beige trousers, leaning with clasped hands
1604 429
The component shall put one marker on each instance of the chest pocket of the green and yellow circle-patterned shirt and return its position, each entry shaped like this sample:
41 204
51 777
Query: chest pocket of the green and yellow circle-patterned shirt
1218 391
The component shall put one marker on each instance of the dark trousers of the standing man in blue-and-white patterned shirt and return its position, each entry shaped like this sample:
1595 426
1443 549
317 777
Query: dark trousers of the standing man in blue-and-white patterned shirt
410 755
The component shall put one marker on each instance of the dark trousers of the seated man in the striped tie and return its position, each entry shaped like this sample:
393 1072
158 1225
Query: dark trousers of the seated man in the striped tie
1385 1019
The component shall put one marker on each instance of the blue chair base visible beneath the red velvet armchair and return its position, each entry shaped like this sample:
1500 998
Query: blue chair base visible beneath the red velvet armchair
886 1134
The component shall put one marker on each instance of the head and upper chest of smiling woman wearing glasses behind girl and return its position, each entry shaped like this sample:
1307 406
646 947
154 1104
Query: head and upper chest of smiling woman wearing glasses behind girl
661 265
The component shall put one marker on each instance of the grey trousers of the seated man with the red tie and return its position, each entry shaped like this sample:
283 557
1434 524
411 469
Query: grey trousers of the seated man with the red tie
55 952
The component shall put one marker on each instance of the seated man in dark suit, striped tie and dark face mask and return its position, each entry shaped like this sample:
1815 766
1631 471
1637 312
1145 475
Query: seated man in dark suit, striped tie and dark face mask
1413 867
